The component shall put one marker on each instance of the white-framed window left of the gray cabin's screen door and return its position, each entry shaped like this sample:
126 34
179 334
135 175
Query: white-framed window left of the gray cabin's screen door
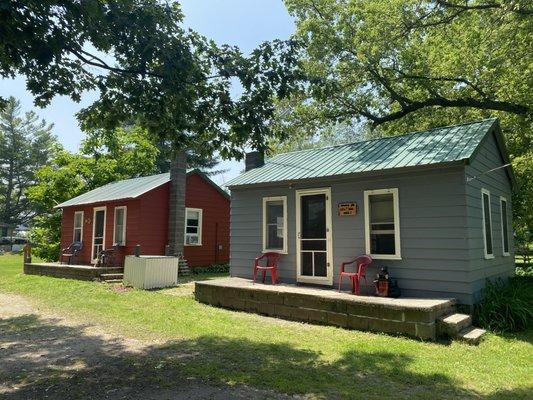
275 224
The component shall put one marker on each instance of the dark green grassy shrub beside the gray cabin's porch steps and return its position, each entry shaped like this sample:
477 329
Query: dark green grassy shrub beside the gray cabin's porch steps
507 306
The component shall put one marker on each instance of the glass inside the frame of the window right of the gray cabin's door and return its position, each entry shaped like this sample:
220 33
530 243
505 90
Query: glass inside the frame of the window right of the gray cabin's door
382 224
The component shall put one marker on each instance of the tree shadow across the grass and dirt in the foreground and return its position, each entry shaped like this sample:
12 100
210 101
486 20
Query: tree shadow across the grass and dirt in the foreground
42 359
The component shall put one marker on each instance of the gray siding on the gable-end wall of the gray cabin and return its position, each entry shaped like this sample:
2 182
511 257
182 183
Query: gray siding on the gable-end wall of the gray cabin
497 182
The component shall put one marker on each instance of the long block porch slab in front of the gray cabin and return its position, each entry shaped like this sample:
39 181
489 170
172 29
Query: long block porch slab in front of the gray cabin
408 316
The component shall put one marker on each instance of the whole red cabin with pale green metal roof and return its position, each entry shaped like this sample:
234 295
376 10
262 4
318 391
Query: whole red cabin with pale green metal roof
135 211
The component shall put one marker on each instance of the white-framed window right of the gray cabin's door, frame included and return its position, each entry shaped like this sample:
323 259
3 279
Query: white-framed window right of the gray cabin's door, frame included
382 224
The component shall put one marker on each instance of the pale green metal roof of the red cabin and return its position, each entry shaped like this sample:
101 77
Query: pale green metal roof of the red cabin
130 189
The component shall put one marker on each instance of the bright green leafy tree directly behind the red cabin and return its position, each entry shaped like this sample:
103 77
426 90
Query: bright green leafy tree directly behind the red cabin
104 157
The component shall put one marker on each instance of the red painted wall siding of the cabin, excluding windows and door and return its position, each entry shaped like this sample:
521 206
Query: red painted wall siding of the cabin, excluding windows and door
146 224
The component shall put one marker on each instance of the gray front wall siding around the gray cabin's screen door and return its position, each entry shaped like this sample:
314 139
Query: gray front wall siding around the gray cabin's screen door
433 220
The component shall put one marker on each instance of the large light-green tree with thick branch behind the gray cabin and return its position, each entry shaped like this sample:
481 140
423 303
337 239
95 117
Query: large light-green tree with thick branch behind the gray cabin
401 65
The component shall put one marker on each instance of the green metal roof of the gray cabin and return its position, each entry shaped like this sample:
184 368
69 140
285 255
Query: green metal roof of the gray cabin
435 146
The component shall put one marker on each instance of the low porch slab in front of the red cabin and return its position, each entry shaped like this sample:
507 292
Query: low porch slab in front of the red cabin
79 272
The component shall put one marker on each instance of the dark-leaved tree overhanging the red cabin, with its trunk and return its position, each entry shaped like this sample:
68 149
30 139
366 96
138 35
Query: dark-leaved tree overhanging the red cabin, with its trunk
146 67
